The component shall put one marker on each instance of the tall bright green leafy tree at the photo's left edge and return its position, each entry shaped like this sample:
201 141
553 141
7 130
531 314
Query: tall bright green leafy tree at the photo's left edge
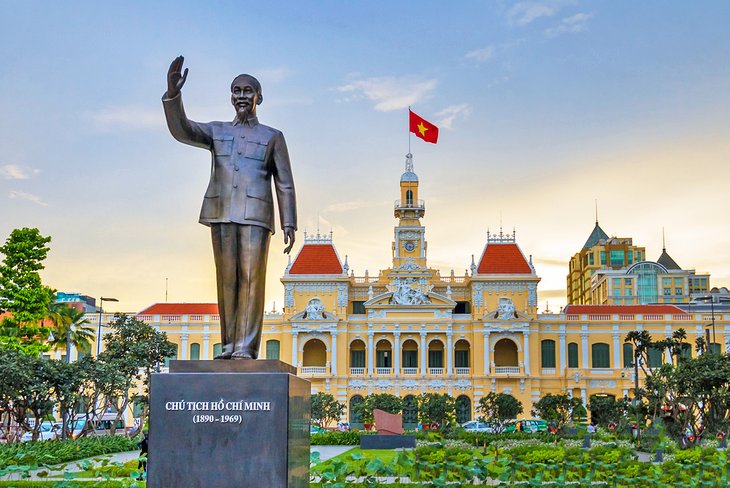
22 293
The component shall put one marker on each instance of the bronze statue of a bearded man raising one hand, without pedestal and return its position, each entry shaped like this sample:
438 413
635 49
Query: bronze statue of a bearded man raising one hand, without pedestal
238 205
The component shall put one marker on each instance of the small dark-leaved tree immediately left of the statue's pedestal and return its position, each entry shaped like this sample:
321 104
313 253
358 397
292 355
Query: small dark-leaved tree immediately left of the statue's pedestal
135 349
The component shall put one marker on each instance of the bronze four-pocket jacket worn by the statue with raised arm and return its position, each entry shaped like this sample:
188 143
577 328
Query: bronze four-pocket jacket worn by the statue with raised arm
245 157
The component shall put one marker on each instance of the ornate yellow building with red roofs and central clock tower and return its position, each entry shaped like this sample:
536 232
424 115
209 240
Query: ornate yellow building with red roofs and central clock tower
409 330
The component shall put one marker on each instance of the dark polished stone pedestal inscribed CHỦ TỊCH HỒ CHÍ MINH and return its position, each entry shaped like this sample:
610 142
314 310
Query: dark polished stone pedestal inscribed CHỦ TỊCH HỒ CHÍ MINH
229 424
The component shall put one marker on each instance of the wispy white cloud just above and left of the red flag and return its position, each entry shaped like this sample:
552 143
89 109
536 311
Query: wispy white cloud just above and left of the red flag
389 93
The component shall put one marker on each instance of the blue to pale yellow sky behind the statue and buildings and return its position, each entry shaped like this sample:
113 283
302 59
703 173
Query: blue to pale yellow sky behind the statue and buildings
547 110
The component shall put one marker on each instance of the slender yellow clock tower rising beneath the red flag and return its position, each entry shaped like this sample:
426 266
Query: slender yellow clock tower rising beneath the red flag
409 247
